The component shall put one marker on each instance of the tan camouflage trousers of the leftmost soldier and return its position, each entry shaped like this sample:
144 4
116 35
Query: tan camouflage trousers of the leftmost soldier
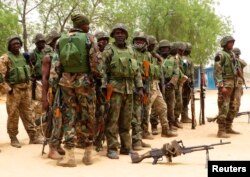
18 104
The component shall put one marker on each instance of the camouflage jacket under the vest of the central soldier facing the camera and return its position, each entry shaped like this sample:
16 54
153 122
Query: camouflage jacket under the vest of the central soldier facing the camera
122 85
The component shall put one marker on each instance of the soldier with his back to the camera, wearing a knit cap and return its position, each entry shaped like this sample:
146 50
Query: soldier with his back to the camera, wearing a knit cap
77 88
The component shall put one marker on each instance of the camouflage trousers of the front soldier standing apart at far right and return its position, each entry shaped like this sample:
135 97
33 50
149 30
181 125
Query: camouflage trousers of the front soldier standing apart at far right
228 105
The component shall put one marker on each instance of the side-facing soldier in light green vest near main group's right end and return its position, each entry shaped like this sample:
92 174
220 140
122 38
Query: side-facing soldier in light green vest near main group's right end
171 74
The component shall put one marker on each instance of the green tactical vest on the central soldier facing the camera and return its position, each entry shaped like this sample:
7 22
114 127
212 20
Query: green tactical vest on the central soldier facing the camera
122 63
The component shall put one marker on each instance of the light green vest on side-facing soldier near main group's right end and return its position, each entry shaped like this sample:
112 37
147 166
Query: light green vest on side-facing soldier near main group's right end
169 67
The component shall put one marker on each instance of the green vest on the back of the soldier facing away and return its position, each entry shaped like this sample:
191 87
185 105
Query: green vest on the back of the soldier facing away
73 53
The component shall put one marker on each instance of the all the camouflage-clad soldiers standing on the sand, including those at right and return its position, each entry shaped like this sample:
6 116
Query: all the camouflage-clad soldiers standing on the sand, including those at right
96 89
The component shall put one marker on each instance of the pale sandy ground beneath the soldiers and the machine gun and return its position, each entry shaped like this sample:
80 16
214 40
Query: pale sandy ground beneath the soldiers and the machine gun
28 162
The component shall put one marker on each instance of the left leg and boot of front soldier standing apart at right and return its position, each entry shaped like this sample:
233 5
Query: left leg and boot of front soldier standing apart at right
223 105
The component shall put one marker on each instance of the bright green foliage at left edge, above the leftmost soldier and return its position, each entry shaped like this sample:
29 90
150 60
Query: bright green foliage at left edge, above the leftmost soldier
8 26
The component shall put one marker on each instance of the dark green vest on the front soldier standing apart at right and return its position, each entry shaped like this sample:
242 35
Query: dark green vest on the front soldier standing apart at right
227 65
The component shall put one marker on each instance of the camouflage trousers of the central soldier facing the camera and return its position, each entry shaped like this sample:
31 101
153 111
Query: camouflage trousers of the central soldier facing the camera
119 121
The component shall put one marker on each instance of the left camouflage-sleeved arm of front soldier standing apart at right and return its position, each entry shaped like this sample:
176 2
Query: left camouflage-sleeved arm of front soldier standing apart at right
218 69
